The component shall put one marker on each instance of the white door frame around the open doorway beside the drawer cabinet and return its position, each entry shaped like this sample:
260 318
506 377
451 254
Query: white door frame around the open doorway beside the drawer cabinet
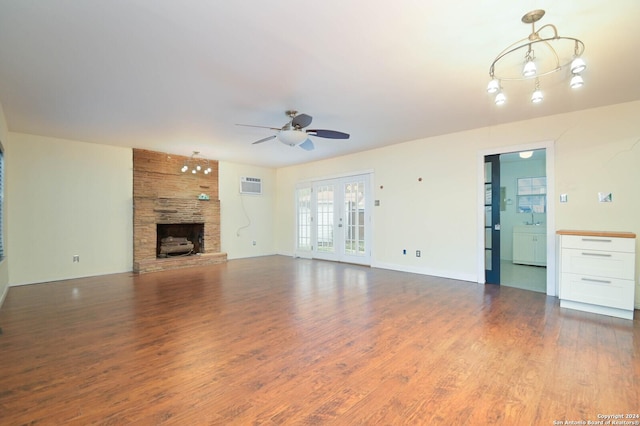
549 146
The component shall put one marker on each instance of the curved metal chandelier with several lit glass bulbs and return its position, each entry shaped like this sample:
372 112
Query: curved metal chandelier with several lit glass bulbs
542 53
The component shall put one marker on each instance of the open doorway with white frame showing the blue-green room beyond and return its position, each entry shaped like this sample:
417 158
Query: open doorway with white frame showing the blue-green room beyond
517 233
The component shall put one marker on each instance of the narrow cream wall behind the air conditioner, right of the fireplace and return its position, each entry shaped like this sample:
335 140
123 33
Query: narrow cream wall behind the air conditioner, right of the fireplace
246 218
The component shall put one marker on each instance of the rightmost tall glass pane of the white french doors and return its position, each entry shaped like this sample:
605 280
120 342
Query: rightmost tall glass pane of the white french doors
354 203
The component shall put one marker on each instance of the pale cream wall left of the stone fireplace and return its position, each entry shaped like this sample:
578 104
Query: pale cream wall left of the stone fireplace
67 198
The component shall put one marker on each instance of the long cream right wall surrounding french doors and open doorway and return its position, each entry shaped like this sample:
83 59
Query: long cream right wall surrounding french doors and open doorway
595 150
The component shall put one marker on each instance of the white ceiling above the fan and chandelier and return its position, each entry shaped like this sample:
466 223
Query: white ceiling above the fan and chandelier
177 76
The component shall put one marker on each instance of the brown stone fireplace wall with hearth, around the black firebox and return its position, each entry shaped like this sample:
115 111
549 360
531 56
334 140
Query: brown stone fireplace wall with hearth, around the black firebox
163 194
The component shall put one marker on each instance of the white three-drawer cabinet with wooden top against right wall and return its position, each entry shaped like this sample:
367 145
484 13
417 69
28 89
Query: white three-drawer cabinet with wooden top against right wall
596 272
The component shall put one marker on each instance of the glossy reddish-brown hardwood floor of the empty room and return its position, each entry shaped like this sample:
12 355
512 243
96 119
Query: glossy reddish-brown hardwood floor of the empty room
276 340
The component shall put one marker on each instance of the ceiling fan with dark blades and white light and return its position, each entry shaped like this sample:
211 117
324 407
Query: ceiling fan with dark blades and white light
294 133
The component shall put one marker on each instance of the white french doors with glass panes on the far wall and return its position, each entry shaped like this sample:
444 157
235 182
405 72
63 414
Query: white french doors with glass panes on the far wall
334 220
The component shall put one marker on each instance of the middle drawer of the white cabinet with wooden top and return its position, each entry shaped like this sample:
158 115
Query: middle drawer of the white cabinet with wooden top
598 263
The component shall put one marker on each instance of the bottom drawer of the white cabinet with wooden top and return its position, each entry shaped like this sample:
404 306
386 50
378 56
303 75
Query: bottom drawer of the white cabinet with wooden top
610 292
